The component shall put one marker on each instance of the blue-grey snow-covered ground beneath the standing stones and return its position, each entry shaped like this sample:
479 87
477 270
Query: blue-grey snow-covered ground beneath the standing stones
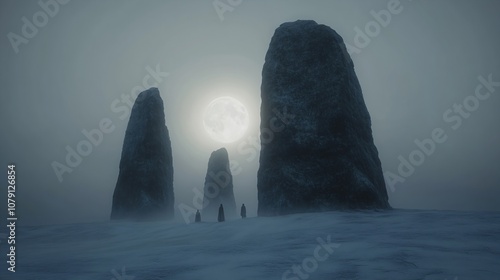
398 244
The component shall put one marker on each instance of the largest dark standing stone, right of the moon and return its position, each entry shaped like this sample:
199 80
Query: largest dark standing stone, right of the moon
320 155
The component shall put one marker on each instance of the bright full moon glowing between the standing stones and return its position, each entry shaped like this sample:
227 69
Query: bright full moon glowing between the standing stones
225 119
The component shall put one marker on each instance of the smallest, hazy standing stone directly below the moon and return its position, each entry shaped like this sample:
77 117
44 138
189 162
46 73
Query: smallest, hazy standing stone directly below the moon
218 188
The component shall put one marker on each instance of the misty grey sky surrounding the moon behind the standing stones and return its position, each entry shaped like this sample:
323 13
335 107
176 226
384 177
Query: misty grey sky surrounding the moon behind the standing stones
83 63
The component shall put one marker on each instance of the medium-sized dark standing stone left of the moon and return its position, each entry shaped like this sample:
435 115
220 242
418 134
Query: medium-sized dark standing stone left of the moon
144 189
